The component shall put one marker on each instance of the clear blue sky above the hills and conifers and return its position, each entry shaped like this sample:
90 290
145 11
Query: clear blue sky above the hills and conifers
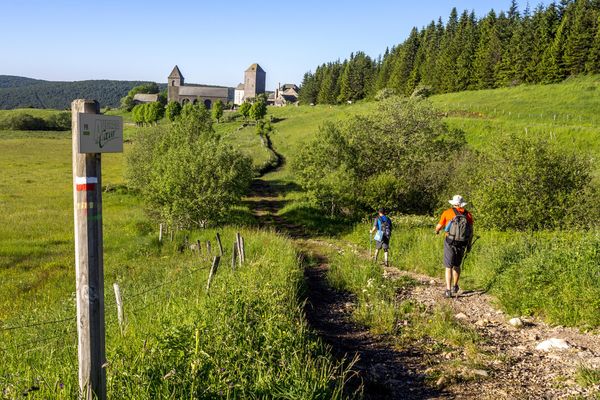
213 42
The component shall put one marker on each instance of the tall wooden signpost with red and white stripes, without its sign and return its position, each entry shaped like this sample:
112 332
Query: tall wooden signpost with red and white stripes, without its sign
87 198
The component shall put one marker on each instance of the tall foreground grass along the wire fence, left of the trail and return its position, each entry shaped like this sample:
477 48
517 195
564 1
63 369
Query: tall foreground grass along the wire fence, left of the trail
247 337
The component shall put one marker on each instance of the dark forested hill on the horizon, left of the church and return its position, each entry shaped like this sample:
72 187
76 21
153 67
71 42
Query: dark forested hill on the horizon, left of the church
21 92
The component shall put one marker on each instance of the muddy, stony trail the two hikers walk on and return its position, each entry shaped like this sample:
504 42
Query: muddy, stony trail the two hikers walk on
510 367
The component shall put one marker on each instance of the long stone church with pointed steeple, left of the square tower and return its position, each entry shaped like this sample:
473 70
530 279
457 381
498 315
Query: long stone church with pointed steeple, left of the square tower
180 92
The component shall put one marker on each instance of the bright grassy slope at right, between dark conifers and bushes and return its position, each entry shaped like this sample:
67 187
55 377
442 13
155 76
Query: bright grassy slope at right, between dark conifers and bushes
567 113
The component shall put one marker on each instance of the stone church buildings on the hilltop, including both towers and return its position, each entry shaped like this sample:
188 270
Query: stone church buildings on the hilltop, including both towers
254 78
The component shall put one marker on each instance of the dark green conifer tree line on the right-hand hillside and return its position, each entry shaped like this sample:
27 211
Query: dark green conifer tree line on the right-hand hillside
501 49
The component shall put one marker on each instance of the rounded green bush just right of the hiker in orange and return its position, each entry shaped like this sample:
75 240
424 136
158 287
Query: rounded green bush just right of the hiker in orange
529 185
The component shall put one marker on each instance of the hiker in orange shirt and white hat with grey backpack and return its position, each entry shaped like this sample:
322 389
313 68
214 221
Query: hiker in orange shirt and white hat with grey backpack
458 225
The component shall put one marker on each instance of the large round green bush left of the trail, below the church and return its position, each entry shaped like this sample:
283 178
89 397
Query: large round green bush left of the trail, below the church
187 176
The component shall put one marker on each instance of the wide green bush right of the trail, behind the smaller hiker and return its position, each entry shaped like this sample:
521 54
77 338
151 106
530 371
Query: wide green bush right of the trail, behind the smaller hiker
393 157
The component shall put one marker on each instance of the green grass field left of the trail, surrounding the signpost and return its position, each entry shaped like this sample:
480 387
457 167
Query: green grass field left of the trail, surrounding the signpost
252 314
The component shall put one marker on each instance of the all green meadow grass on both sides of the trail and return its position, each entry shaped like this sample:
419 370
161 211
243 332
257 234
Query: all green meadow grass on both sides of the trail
180 342
